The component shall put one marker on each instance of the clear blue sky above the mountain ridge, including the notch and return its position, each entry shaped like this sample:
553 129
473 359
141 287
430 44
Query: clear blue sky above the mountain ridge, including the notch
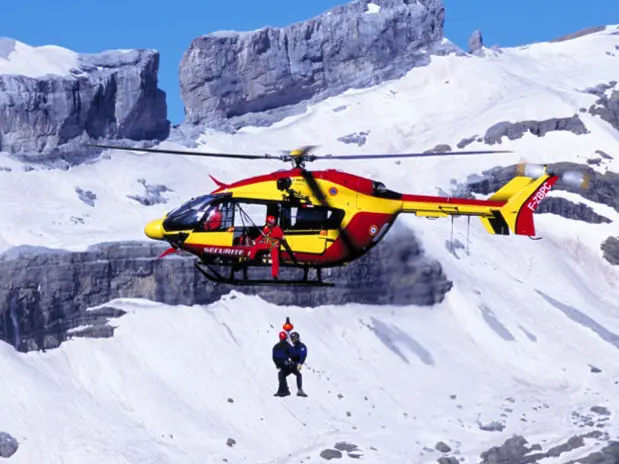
88 27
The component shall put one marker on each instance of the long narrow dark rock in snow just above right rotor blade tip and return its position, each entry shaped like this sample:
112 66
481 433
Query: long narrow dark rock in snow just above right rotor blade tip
515 130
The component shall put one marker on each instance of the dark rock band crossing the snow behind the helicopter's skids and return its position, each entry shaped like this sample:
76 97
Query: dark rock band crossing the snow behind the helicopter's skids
44 293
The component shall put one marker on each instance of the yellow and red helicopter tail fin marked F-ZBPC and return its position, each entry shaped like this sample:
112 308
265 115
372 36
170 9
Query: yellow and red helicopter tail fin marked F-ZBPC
523 196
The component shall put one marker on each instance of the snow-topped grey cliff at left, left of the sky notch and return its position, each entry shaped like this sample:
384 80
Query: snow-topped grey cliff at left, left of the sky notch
48 110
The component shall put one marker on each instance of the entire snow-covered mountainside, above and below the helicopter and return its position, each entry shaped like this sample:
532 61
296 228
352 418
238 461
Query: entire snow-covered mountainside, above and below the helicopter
513 340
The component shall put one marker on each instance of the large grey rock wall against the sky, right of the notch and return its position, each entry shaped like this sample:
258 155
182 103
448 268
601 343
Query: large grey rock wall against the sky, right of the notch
227 76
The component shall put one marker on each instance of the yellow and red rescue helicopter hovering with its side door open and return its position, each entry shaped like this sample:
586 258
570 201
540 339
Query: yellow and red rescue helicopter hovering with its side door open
329 218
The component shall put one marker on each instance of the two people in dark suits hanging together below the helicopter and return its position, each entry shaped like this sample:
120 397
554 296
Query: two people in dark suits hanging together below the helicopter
288 359
